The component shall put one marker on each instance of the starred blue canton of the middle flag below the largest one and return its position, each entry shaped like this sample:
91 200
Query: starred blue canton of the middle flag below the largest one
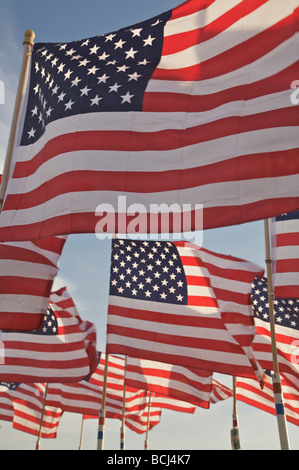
147 270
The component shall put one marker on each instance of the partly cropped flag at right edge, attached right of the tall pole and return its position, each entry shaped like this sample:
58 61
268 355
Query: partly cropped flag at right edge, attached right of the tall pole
285 255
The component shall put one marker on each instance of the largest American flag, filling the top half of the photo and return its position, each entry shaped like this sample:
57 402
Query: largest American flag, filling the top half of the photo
165 111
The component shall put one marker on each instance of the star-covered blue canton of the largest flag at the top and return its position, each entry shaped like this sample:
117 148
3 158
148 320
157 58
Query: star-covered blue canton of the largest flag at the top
104 73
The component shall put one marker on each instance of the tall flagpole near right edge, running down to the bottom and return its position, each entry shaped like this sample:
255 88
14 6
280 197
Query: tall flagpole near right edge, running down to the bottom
276 381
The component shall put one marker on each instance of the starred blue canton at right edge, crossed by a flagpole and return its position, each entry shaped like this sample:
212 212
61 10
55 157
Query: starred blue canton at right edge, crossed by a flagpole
286 310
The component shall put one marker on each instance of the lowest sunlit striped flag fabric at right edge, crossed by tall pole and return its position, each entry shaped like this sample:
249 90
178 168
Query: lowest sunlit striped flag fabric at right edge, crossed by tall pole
249 391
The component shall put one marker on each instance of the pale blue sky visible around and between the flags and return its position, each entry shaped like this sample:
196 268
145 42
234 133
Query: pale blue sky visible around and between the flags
84 265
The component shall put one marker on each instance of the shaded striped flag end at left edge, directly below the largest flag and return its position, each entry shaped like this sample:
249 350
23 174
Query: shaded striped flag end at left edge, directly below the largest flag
27 271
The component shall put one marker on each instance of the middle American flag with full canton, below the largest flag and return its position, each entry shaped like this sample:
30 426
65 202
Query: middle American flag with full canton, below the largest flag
162 306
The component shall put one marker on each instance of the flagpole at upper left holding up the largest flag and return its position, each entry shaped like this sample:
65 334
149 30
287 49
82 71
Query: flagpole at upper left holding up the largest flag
28 43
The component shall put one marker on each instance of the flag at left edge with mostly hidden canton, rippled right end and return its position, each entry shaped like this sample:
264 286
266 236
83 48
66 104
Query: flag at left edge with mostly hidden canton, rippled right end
62 350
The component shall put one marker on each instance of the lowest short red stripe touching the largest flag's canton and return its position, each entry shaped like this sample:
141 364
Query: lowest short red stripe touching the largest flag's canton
175 102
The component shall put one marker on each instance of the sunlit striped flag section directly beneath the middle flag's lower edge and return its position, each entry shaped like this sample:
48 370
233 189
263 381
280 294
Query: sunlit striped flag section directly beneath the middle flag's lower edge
182 383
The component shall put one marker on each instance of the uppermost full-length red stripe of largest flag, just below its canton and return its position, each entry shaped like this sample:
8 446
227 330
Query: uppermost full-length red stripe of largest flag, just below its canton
161 140
